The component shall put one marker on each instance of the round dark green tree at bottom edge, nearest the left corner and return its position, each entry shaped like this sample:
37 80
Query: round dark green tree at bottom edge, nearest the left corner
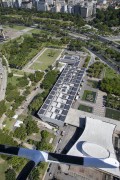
10 174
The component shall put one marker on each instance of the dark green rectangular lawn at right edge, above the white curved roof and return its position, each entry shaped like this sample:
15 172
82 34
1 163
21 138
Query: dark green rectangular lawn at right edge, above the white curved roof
111 113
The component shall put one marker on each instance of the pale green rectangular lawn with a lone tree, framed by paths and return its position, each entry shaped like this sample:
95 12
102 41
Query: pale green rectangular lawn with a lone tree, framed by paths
46 59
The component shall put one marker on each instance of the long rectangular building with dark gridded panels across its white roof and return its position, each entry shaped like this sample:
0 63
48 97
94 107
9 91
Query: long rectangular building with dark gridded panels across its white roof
62 95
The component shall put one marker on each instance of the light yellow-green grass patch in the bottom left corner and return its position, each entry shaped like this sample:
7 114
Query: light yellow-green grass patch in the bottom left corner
3 168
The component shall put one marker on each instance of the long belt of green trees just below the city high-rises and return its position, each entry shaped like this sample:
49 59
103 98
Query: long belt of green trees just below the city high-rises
29 17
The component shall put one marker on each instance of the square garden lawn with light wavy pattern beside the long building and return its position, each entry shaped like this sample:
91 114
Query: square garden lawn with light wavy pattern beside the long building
89 96
